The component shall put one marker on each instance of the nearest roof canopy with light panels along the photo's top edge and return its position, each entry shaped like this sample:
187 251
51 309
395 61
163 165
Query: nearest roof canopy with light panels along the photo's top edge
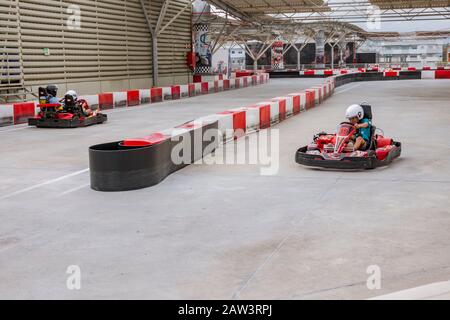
353 11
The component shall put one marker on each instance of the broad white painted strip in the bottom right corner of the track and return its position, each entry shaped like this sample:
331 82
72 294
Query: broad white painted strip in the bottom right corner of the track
430 291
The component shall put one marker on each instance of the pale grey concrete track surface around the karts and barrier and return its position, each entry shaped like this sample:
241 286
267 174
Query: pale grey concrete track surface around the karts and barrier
223 232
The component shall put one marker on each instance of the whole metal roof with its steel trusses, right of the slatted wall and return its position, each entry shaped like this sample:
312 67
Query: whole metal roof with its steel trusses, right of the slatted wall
297 20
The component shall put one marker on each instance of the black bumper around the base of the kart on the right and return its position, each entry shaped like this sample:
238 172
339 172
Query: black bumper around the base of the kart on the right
346 163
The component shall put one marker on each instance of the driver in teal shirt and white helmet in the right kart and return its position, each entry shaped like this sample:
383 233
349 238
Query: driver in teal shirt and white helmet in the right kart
355 114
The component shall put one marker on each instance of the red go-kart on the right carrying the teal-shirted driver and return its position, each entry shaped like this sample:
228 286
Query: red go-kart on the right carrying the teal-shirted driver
335 151
